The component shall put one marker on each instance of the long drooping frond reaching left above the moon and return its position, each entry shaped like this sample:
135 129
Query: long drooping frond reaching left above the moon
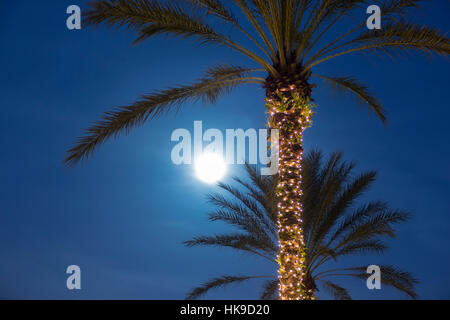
219 81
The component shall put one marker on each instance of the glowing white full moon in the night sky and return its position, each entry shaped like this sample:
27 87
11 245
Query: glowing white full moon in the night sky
210 167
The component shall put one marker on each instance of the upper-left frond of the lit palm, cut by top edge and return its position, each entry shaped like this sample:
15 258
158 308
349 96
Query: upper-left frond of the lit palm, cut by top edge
152 17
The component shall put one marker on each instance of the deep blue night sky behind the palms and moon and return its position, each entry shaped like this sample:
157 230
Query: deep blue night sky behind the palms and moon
123 215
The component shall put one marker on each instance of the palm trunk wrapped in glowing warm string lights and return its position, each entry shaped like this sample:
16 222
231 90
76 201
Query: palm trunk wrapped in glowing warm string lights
290 112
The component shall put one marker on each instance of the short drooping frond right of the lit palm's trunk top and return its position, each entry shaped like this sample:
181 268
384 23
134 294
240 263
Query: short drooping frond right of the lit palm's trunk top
356 89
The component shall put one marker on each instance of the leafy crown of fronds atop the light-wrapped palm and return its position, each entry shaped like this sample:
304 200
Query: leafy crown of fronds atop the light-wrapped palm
291 37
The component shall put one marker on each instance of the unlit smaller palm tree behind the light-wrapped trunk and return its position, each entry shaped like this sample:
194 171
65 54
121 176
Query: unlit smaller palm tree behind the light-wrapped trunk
334 226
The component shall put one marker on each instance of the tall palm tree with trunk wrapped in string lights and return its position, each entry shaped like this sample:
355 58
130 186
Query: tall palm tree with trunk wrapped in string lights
285 40
